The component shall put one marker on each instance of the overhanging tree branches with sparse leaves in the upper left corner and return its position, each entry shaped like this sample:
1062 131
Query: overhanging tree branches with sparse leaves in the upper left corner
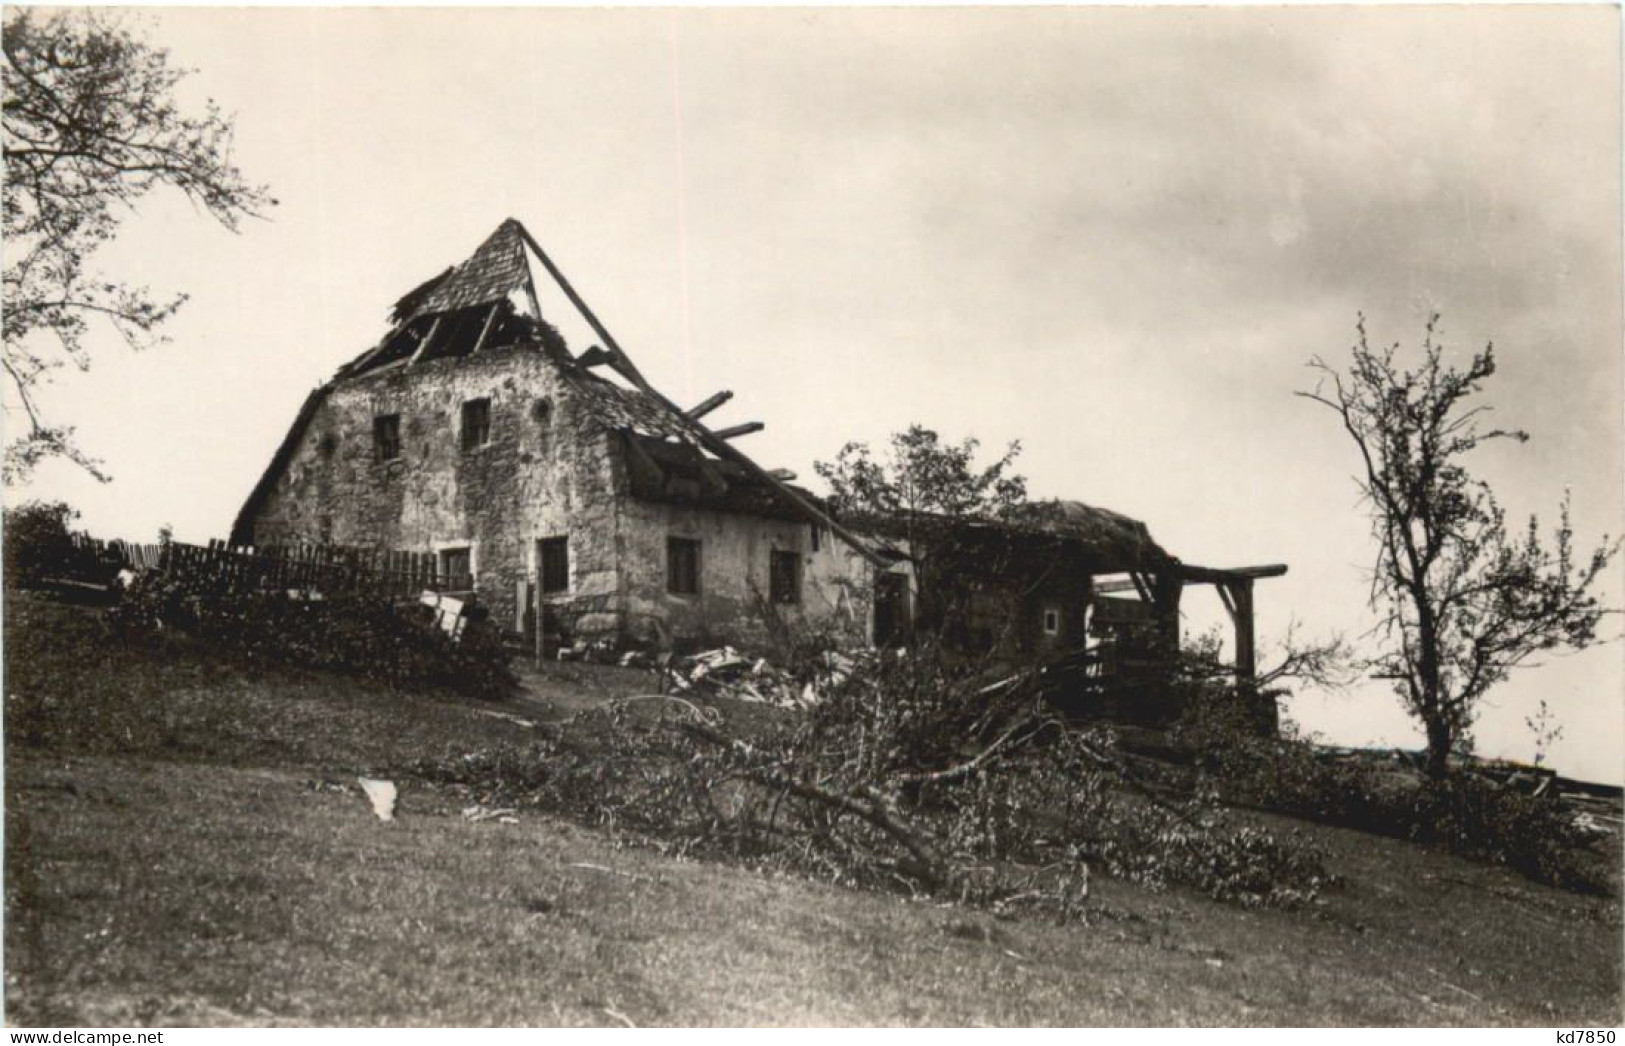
92 126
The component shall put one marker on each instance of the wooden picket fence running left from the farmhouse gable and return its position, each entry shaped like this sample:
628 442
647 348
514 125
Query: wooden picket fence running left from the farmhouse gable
323 568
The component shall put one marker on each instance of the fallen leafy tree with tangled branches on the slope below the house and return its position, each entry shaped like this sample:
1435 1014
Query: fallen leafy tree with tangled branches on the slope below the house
911 772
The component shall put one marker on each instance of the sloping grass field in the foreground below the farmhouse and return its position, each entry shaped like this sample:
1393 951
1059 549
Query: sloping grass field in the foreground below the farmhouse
186 844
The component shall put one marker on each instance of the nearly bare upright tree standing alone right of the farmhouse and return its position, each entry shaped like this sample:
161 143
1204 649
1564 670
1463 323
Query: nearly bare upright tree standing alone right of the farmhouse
1462 599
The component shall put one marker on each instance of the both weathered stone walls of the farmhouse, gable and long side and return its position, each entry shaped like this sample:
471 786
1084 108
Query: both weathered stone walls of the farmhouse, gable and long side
548 470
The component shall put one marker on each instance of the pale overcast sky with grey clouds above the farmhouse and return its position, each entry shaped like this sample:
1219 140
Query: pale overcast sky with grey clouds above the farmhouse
1116 235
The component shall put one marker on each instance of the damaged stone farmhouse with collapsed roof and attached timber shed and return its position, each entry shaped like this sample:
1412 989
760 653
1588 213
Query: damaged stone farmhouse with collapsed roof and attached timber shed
550 475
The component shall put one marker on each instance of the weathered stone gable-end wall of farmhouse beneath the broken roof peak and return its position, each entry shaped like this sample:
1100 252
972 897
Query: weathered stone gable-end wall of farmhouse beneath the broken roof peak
545 472
